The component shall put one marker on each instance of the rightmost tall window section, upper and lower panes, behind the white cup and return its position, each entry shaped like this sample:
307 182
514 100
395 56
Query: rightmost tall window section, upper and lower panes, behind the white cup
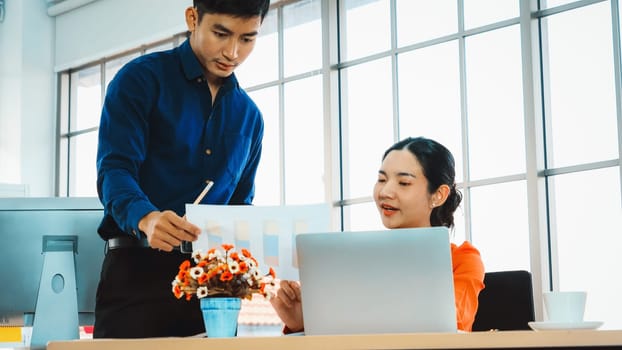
583 150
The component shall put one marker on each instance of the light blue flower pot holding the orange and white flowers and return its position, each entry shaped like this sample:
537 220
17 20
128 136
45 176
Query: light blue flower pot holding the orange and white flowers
221 316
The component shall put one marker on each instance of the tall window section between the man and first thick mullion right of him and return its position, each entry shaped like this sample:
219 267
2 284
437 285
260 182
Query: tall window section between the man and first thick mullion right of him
288 64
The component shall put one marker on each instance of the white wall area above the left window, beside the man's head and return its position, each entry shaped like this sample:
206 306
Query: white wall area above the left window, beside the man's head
107 27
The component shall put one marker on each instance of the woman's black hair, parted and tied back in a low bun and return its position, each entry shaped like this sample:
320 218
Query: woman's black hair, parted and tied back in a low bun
438 167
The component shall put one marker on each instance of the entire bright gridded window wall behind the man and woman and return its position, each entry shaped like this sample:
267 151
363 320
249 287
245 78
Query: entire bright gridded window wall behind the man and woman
527 99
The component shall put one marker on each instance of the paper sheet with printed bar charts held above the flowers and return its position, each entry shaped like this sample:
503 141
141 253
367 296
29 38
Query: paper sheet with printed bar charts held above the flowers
268 232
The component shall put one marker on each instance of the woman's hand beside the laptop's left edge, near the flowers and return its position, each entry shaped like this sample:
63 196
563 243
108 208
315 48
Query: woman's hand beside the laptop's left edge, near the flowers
288 305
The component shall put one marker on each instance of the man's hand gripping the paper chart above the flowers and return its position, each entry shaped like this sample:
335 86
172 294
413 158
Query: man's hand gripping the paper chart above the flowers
166 229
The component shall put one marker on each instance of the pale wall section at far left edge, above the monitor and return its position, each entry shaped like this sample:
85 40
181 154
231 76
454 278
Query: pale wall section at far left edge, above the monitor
27 90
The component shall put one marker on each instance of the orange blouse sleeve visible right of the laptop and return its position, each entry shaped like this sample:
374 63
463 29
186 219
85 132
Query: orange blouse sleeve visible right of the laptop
468 270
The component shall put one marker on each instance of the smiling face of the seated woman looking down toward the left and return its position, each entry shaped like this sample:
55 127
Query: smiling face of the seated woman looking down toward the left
401 192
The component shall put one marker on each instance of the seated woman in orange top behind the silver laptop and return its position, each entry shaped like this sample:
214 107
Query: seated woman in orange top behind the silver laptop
415 188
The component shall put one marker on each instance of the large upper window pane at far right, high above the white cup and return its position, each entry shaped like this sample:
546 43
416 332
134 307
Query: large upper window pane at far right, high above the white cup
582 116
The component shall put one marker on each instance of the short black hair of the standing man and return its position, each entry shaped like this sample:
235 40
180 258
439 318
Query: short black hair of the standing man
235 8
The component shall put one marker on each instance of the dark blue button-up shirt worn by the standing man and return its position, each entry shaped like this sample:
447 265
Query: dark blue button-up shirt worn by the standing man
161 138
